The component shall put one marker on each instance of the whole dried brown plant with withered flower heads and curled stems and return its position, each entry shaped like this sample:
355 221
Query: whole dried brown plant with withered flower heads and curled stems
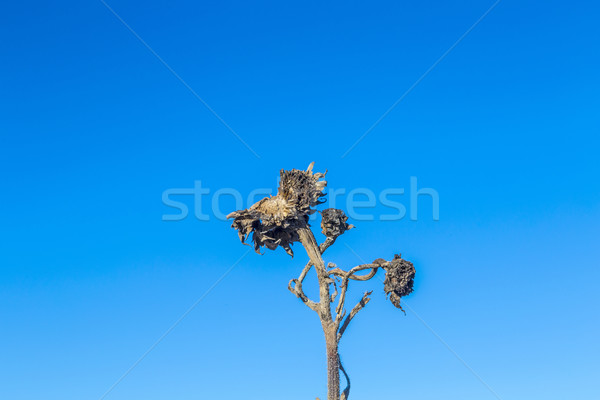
282 220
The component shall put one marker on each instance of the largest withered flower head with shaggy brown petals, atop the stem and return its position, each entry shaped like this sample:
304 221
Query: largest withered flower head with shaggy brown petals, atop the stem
273 221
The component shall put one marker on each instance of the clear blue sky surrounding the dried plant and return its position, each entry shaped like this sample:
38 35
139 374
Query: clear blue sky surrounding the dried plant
94 128
